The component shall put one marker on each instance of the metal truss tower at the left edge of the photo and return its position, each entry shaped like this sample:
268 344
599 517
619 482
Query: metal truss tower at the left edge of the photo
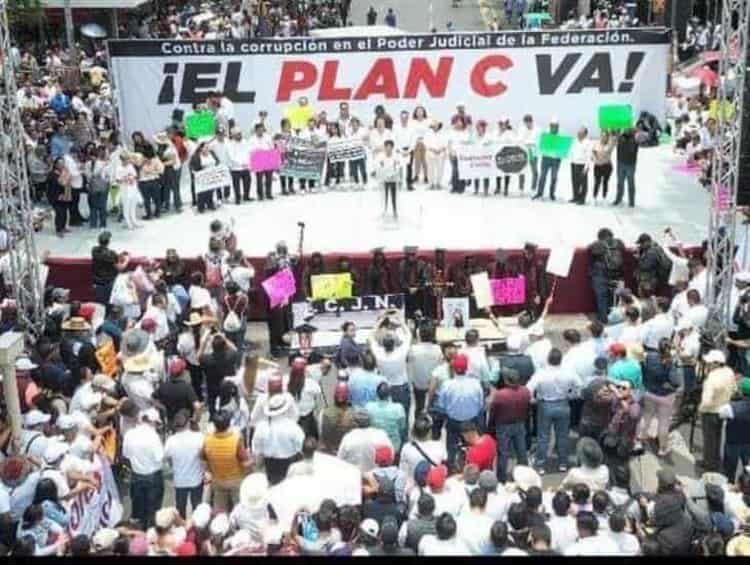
15 197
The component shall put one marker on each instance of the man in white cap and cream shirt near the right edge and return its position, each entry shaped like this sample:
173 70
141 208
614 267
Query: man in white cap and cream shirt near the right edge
718 388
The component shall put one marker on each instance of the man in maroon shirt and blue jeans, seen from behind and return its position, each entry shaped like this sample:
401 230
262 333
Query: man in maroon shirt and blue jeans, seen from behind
509 414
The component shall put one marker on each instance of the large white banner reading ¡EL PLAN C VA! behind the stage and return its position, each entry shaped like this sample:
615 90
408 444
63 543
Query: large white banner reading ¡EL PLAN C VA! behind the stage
567 74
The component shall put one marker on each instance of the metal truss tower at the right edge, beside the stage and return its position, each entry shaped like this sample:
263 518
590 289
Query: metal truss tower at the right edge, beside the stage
735 19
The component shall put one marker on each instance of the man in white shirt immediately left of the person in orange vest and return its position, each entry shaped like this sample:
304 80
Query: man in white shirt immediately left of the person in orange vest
183 451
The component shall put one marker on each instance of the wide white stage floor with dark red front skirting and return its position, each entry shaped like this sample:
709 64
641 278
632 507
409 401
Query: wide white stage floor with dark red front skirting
352 222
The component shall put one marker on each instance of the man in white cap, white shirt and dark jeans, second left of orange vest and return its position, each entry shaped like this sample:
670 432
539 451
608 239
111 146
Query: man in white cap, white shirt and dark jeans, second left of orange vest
142 447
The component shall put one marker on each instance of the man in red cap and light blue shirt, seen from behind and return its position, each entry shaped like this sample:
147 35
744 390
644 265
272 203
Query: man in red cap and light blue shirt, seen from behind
462 400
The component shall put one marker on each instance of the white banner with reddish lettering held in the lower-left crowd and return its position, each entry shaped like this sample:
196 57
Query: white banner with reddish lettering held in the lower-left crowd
96 508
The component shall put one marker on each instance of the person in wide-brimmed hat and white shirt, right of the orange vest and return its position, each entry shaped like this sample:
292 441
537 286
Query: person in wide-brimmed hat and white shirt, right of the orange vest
277 439
